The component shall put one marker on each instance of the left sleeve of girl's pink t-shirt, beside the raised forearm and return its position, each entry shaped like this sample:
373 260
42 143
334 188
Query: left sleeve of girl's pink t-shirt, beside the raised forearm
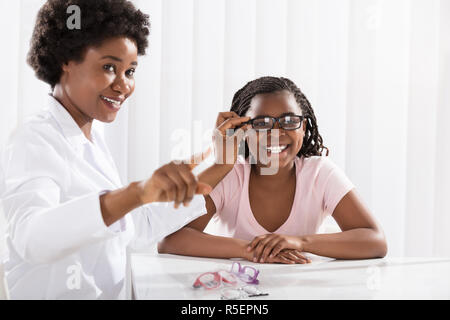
226 189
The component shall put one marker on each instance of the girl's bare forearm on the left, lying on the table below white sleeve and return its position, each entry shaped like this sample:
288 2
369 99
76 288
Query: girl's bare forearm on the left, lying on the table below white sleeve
191 242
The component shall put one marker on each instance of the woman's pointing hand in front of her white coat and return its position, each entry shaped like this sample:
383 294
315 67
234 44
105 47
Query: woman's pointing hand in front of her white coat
172 182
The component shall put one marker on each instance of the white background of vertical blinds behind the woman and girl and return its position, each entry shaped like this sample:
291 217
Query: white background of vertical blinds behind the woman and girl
376 72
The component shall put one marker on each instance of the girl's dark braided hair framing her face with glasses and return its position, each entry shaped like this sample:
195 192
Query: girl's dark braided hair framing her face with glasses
312 142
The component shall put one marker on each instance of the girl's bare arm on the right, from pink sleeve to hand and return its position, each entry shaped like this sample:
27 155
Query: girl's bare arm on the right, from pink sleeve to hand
361 236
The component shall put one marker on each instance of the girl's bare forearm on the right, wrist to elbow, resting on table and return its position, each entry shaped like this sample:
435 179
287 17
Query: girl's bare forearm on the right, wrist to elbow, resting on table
361 243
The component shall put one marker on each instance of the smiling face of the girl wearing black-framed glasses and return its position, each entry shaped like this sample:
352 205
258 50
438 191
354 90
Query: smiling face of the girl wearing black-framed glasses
275 105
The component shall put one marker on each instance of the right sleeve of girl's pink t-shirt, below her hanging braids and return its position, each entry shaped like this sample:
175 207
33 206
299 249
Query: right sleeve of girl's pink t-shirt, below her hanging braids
336 185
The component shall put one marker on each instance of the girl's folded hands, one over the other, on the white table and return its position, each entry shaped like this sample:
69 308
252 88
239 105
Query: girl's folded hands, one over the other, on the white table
269 246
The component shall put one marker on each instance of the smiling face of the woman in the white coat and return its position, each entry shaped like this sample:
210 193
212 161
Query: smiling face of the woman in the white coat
100 84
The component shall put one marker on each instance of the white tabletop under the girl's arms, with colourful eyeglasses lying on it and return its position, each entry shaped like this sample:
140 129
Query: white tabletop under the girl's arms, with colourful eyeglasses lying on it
170 277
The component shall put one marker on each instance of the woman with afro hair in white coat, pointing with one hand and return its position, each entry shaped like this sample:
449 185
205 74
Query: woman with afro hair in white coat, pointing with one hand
70 219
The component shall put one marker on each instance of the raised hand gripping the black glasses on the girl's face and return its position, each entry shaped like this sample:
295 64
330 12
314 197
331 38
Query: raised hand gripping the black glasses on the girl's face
226 146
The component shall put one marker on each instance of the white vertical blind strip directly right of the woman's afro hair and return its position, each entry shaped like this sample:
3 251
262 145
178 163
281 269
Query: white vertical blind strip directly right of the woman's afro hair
144 134
